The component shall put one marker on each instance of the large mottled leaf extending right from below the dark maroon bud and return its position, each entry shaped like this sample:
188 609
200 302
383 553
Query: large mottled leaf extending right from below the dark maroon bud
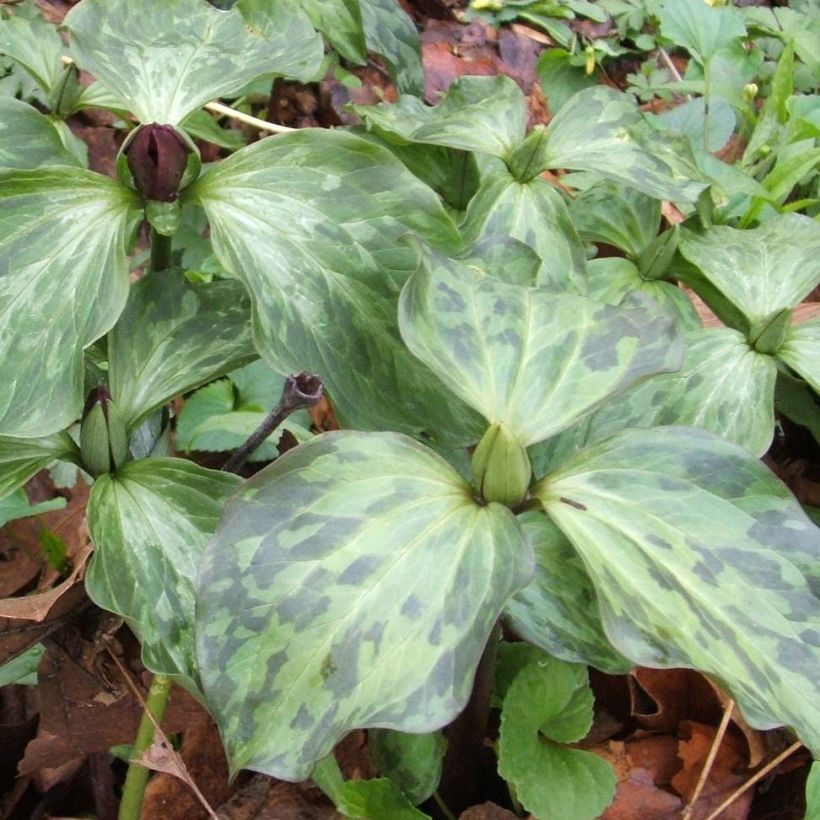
314 224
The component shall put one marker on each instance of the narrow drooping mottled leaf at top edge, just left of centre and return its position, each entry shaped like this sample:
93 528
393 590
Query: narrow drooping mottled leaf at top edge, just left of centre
391 34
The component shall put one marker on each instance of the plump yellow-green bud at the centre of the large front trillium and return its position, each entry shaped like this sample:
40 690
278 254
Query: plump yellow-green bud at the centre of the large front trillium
501 467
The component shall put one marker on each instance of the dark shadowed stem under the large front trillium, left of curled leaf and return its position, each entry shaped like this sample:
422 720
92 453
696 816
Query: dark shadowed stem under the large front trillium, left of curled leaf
465 763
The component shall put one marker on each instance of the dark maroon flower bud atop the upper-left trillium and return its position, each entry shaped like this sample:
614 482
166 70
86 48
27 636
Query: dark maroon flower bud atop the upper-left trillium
157 157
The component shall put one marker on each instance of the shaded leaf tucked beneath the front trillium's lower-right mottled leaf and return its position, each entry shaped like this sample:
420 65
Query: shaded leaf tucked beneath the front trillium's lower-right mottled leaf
558 610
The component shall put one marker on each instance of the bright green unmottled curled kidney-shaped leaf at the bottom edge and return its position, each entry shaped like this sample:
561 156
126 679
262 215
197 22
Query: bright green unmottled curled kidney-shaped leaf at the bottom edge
550 780
